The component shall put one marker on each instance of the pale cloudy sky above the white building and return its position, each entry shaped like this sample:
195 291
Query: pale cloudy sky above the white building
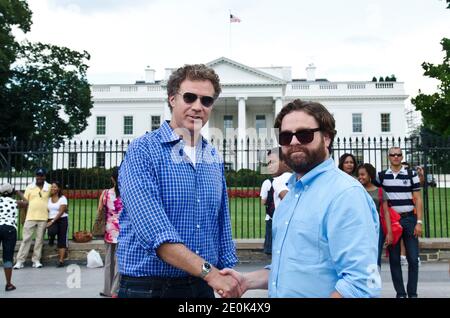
347 40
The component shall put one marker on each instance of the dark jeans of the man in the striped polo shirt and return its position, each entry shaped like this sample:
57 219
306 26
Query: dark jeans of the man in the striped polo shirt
412 253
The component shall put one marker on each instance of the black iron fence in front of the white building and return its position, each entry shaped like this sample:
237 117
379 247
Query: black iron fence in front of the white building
84 170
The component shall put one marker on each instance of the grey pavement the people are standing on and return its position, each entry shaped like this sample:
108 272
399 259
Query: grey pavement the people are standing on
78 281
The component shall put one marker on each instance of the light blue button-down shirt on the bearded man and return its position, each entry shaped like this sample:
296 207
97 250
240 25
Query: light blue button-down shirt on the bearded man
325 238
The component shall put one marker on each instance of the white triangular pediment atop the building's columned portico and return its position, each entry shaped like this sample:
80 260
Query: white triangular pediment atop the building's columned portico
234 73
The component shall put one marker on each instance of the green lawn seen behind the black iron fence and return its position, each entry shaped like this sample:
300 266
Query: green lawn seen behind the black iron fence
247 215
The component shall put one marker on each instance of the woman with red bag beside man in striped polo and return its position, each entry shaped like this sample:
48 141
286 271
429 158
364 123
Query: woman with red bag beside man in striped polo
366 175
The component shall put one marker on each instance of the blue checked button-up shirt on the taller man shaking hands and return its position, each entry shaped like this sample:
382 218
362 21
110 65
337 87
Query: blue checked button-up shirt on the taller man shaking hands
167 199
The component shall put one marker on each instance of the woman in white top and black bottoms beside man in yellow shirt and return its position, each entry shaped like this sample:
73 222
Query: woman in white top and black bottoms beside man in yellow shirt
58 221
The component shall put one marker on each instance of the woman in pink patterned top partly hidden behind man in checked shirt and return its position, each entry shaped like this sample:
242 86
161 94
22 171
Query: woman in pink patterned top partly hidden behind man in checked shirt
110 205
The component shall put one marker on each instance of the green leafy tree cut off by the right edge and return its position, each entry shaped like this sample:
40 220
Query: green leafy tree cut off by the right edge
435 108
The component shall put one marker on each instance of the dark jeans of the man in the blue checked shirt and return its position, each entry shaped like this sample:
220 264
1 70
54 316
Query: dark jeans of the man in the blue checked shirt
159 287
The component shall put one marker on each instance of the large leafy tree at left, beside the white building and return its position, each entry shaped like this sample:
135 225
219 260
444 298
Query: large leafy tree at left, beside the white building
45 96
